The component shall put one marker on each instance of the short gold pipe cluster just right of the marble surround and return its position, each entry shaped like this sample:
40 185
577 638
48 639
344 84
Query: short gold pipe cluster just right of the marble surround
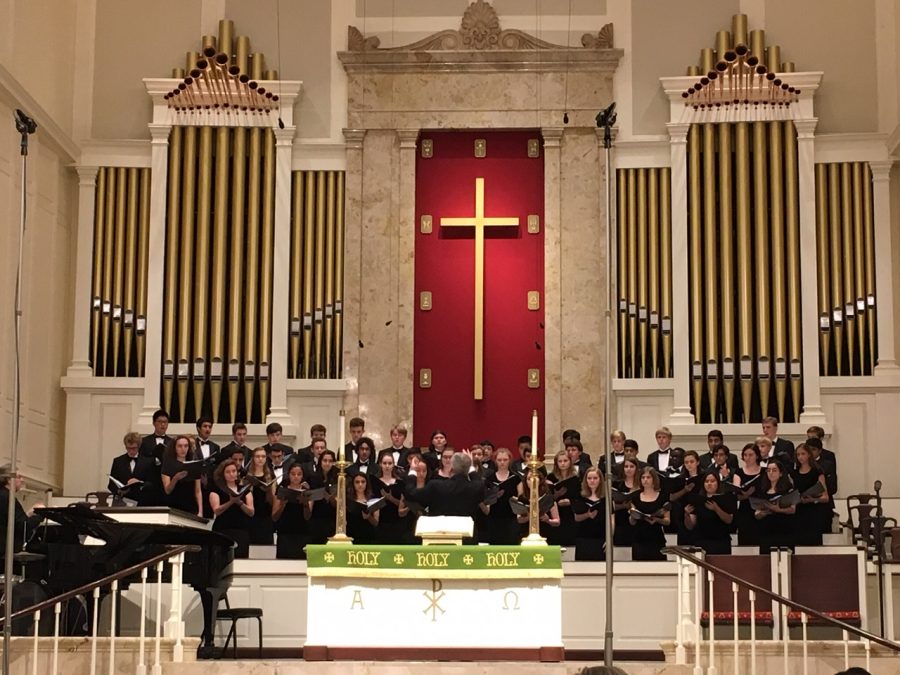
644 272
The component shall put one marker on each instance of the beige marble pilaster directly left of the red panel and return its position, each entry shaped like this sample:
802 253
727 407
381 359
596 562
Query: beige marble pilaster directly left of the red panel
406 269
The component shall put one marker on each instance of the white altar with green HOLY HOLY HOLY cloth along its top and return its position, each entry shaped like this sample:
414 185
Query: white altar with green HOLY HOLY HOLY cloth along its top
410 602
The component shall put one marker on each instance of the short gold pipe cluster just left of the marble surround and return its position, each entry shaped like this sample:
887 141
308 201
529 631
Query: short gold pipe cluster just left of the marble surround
317 275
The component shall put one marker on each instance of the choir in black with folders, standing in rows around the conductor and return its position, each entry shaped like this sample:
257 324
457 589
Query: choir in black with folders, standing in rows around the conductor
771 495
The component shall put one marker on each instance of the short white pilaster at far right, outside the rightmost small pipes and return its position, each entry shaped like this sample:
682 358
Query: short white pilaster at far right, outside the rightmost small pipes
884 267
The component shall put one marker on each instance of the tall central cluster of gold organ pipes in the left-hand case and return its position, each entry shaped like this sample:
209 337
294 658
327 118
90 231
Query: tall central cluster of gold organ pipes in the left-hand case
218 278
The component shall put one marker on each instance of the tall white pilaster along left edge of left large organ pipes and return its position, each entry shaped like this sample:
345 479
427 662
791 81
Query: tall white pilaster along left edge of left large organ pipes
159 174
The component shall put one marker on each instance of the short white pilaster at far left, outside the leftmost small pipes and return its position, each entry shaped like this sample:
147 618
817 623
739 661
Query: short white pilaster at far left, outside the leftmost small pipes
84 249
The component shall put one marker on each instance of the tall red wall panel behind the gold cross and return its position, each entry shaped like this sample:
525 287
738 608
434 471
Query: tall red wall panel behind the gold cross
512 184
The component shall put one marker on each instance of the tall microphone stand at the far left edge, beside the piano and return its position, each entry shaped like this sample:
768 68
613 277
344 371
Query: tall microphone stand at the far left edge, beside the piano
25 126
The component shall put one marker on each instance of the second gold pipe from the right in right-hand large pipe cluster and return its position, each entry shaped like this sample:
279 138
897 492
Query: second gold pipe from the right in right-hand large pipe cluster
776 220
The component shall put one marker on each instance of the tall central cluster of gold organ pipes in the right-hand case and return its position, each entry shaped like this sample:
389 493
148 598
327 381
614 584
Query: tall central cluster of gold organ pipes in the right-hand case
744 246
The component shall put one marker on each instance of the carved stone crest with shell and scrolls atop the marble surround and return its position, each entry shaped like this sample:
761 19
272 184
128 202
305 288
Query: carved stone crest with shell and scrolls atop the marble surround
479 30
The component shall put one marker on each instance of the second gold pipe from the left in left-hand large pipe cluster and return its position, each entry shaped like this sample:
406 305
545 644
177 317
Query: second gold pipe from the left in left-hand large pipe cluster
186 265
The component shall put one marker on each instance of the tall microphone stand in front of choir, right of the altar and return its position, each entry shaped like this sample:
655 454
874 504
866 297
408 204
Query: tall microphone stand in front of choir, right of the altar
606 118
